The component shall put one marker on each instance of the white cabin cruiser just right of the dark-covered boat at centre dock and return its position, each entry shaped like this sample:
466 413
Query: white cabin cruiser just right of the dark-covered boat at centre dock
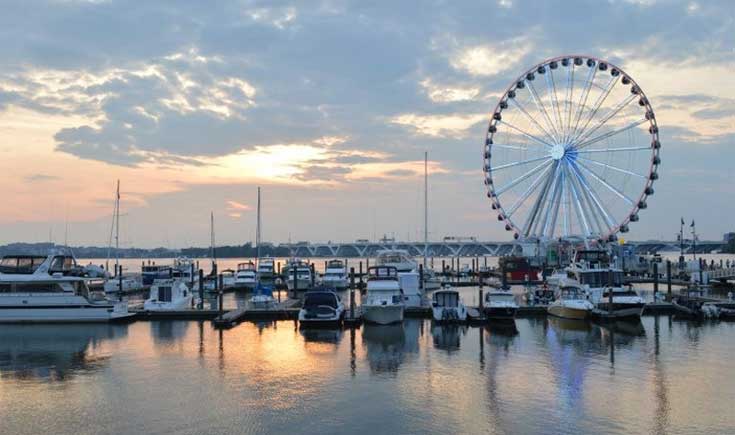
384 300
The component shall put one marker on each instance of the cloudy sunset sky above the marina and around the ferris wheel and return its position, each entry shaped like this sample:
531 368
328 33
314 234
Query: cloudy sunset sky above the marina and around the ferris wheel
329 106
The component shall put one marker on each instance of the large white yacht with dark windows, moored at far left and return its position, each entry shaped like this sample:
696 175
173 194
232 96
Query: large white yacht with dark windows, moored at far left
42 297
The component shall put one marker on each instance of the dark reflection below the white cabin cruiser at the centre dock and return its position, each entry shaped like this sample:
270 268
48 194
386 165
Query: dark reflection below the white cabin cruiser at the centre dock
388 346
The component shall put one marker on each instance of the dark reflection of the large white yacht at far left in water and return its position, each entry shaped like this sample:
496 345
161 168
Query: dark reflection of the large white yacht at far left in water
51 353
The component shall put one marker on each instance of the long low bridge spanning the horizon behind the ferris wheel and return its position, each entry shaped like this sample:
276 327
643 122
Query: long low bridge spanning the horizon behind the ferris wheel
464 248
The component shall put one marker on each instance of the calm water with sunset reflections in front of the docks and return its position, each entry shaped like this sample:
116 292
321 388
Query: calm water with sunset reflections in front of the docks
546 376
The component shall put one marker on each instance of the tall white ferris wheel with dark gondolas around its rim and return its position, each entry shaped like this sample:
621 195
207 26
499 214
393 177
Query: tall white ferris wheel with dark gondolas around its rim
572 150
